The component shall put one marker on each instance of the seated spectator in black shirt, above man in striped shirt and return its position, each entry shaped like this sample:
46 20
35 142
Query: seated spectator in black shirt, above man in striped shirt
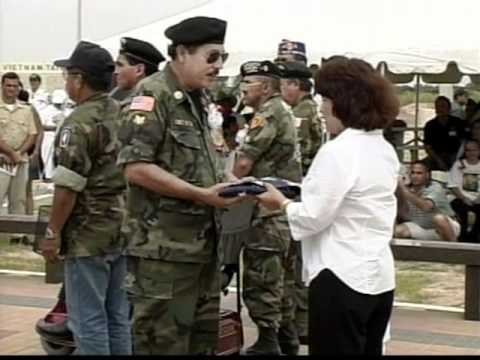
442 136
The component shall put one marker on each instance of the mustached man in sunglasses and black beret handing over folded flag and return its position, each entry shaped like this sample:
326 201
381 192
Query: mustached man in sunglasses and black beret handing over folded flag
172 167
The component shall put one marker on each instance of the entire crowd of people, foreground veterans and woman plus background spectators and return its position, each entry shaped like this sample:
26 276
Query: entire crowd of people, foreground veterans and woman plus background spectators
138 171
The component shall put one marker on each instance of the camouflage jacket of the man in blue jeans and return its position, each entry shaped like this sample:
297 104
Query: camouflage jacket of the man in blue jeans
86 148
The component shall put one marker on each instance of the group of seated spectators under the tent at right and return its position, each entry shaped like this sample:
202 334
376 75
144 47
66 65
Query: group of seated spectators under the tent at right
439 209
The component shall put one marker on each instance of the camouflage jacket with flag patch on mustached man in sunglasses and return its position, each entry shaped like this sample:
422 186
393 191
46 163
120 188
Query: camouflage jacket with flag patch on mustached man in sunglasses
165 126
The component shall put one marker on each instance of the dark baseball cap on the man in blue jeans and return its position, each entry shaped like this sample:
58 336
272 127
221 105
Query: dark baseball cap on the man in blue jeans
90 58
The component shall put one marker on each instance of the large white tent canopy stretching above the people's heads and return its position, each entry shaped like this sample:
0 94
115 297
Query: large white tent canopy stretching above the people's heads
409 34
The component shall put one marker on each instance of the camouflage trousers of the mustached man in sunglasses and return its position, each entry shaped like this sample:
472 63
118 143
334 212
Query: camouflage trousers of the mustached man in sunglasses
176 306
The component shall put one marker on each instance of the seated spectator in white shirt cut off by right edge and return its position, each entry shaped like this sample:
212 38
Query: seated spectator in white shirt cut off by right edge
464 178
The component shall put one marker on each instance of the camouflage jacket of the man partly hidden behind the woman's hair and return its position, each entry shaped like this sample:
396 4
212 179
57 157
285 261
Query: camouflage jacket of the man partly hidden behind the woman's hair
309 129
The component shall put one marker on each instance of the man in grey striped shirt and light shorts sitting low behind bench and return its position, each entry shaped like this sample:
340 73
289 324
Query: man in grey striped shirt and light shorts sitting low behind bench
424 207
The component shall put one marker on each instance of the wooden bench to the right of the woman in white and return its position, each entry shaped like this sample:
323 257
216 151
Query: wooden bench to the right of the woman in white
448 253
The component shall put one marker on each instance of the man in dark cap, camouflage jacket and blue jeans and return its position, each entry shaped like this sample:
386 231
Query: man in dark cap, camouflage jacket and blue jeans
88 208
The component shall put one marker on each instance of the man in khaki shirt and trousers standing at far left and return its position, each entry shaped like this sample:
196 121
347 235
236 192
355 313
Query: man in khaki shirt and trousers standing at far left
17 136
